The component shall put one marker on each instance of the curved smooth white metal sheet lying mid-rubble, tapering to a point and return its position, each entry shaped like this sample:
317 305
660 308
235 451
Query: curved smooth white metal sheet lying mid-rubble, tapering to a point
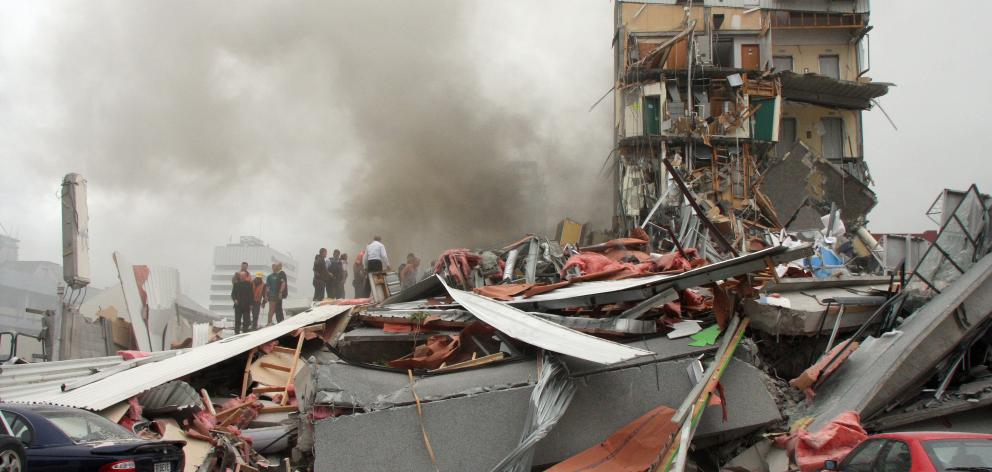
543 333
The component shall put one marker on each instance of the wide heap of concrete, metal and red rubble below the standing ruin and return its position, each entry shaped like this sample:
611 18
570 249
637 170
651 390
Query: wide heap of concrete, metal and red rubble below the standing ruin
636 353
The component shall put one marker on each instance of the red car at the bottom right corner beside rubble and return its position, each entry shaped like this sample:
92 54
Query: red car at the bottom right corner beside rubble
919 452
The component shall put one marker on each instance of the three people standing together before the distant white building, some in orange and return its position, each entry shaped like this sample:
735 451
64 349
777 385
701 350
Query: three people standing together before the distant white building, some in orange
250 294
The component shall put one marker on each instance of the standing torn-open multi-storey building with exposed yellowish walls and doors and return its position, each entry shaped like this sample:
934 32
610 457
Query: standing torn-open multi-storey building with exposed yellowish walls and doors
754 106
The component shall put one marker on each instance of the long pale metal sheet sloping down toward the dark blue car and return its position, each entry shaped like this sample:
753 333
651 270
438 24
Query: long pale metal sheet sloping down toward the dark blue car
121 386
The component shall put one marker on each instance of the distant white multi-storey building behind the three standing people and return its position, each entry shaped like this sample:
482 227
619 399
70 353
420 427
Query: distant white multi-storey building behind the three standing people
227 261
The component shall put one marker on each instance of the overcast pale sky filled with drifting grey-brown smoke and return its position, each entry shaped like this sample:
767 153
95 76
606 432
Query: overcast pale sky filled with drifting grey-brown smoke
324 123
